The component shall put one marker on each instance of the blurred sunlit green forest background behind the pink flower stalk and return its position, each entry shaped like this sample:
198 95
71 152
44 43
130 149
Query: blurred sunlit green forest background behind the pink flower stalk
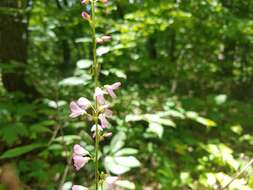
183 117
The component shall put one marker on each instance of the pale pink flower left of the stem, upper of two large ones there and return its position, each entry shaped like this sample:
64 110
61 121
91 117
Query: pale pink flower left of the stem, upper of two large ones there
79 108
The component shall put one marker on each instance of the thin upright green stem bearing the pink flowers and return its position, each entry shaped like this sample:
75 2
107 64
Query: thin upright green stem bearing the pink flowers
96 76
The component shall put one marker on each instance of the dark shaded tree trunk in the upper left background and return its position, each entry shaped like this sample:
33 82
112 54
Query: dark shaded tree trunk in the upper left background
13 48
